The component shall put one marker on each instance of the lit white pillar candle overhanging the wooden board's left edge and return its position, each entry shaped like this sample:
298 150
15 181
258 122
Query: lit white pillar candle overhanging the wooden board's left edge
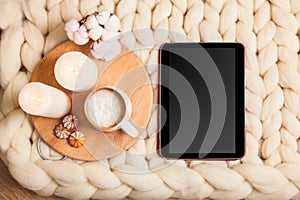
39 99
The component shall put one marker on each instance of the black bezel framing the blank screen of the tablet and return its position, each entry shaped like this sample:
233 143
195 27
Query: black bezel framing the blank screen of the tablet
163 139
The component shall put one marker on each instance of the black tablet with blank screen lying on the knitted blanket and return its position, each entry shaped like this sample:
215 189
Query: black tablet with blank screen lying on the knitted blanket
201 97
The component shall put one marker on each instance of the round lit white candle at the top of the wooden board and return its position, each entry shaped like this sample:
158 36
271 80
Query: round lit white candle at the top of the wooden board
75 71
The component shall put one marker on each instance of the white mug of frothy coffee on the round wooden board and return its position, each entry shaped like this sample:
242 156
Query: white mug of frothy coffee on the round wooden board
109 109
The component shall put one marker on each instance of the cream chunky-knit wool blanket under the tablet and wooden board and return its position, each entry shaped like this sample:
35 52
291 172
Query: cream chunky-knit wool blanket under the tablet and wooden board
268 29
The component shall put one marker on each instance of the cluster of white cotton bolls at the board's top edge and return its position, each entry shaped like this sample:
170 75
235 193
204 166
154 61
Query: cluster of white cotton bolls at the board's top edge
103 28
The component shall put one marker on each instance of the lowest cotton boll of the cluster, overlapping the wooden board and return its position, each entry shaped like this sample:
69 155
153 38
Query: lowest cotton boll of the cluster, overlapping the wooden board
106 50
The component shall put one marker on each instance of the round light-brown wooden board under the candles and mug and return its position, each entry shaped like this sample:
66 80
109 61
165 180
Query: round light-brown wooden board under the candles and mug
126 72
